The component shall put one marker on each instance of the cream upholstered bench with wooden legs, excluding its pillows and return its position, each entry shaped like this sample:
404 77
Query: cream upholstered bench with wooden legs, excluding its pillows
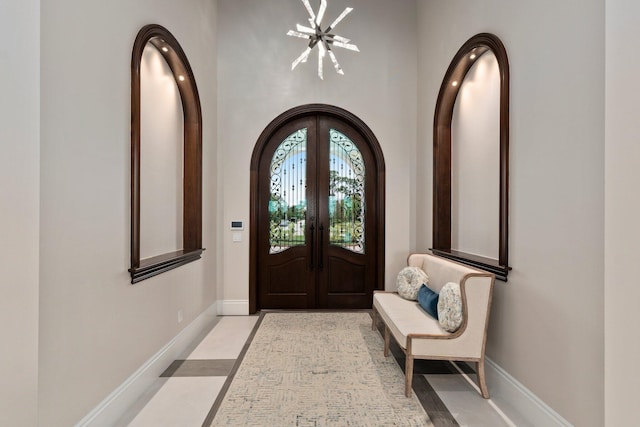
420 335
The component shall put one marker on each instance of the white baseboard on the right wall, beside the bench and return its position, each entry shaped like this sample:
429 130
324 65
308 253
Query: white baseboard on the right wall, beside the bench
518 402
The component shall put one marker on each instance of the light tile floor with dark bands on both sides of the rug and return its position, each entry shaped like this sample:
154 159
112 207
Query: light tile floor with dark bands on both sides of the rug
185 395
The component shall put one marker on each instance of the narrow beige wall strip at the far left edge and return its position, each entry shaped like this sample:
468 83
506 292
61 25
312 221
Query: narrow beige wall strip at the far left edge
19 216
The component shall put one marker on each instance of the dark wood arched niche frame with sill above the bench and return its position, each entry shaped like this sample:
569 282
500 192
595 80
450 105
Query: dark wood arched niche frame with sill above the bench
455 75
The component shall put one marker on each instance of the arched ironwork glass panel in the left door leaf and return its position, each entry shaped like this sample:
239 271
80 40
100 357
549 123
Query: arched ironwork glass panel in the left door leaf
287 201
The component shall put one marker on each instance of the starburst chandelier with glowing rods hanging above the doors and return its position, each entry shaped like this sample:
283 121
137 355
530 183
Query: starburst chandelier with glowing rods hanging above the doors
324 39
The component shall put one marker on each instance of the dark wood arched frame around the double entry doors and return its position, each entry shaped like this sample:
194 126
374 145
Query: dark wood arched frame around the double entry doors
284 118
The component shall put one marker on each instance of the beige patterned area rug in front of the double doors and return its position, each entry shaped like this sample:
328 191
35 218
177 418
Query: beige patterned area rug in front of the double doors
317 369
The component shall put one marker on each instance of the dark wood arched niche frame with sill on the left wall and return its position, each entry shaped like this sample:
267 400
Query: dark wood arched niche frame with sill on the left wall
192 249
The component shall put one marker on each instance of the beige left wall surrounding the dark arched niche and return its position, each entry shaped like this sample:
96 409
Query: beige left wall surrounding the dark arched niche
96 328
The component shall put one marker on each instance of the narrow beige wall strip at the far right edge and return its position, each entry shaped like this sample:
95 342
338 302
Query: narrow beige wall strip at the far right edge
622 210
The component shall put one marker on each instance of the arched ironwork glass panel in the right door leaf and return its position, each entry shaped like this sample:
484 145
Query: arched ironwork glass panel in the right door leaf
346 193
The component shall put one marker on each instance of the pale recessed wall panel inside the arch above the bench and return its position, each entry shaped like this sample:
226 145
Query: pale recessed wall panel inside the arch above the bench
475 161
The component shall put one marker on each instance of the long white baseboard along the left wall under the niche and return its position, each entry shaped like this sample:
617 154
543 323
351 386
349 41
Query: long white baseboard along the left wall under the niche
112 408
